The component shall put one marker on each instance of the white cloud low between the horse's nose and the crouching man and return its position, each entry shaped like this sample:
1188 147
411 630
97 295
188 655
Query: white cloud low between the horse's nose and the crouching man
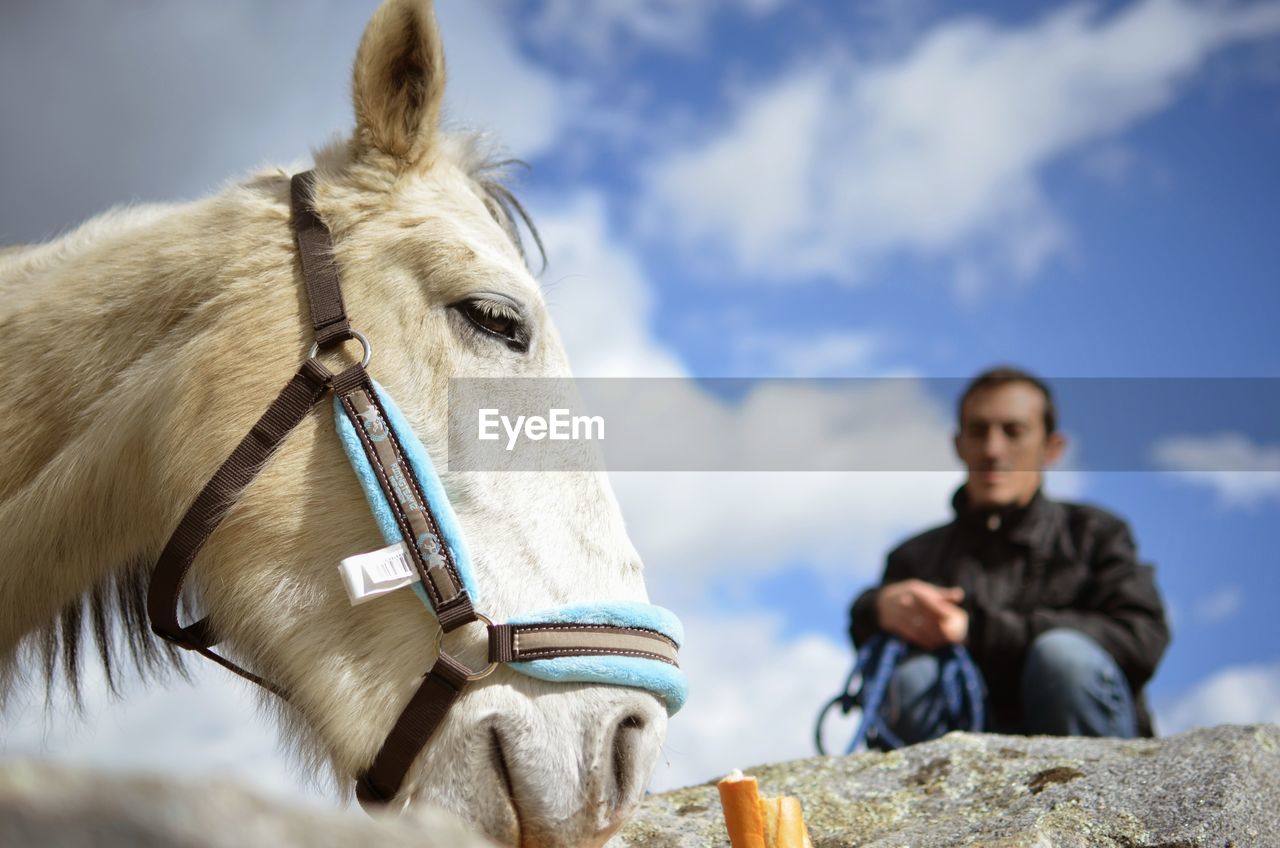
755 696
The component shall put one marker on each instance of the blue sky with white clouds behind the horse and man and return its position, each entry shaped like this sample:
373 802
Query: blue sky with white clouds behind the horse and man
774 189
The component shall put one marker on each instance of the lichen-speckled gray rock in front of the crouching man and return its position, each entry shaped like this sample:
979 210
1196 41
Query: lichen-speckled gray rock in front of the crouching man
1206 788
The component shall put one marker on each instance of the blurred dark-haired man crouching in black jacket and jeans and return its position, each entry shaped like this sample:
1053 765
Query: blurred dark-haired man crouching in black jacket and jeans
1063 622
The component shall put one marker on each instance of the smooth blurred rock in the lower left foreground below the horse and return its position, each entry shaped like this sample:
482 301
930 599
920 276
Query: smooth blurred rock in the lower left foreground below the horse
45 806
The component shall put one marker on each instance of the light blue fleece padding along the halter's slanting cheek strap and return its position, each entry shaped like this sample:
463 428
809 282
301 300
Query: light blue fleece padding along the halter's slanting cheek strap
427 477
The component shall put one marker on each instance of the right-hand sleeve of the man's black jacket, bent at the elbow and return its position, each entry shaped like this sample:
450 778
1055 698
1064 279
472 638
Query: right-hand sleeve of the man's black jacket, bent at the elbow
1119 608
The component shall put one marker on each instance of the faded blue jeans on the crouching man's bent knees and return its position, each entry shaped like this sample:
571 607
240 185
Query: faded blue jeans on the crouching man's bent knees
1071 687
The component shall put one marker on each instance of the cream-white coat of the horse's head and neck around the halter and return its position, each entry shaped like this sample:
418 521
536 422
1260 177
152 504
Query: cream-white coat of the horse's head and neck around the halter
154 338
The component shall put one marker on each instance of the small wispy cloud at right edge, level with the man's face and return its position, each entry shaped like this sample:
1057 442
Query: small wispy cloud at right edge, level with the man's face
1240 471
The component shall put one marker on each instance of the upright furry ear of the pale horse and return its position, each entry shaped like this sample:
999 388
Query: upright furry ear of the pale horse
400 81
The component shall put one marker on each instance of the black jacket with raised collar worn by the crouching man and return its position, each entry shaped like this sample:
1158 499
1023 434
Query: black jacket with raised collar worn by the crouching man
1028 571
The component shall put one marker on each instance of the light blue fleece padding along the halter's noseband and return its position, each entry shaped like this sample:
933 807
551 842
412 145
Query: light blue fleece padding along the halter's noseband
664 680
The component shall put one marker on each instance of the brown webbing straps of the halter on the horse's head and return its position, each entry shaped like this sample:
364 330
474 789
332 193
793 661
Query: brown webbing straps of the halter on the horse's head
445 682
